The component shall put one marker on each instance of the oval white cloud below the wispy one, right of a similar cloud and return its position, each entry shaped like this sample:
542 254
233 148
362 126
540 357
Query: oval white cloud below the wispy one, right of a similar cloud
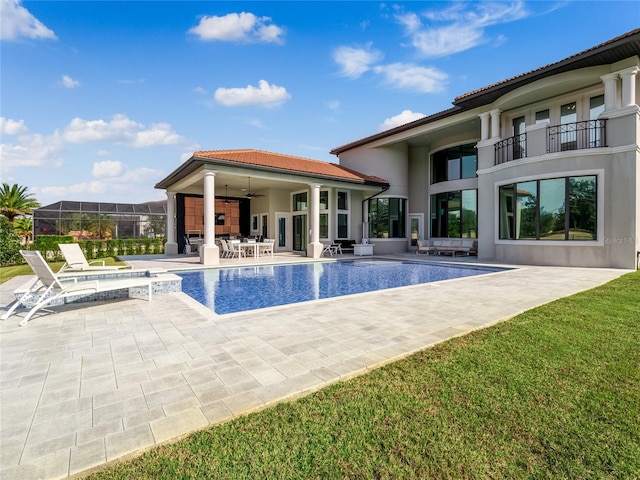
413 77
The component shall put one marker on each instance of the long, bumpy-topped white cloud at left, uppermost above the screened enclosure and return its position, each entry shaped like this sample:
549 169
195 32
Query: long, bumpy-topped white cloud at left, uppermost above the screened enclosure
121 130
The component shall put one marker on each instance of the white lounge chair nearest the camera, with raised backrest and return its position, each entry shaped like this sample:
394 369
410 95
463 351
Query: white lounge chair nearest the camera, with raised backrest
49 288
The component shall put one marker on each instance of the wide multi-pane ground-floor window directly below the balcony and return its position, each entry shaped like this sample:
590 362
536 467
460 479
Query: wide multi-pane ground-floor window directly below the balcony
553 209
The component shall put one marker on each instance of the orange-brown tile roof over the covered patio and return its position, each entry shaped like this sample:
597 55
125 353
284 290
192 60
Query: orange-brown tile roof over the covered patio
288 163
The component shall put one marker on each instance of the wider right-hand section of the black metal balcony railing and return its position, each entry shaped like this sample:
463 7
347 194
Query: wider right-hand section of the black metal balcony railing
576 136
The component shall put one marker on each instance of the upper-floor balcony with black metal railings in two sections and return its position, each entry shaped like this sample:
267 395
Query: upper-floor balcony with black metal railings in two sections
559 138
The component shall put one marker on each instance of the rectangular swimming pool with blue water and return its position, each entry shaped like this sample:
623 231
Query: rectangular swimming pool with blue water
229 290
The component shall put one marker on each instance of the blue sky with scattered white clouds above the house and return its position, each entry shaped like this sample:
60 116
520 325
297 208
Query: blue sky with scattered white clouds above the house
100 100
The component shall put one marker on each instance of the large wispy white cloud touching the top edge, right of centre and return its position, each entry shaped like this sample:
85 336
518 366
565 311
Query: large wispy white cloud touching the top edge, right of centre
463 27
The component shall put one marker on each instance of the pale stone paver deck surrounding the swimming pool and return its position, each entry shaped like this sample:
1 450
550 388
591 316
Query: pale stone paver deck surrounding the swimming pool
96 383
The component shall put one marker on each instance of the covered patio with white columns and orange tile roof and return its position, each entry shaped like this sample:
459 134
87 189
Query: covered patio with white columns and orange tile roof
252 193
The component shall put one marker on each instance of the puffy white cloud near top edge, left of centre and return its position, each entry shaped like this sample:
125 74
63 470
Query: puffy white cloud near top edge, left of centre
238 27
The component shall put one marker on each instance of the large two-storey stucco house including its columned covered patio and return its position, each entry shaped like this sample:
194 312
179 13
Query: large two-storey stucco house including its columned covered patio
541 168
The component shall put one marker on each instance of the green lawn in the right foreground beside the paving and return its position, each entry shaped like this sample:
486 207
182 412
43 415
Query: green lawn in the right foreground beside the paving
553 393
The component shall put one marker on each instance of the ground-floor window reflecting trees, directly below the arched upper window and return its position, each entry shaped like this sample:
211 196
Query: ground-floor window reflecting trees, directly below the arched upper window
454 214
